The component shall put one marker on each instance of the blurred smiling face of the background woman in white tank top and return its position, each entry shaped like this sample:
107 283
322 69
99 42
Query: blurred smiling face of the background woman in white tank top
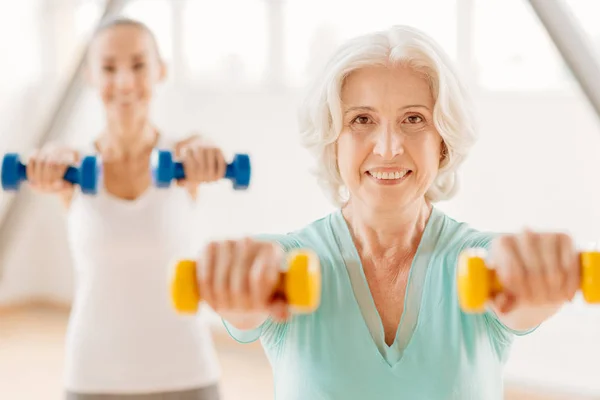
124 66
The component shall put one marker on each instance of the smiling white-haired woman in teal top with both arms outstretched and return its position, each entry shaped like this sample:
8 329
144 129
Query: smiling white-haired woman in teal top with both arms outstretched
389 123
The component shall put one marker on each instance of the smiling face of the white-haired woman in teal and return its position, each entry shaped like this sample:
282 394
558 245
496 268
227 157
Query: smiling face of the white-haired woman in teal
389 150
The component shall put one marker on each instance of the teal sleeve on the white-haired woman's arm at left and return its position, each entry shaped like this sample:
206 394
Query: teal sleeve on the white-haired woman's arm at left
269 330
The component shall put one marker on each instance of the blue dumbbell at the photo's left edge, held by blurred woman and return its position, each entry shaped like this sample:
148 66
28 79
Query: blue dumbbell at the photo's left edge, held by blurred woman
86 176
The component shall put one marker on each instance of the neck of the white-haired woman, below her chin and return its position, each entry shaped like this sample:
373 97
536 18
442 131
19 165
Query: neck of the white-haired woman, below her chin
385 234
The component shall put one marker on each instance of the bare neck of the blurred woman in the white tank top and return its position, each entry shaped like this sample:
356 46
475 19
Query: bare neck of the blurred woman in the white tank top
127 140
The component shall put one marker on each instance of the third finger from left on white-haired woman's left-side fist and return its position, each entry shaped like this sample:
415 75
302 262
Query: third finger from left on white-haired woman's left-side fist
238 278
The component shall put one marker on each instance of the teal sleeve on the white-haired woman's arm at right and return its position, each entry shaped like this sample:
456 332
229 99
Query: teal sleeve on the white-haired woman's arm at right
501 335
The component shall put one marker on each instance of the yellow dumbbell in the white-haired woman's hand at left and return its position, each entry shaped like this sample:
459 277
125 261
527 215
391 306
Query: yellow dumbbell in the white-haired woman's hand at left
300 284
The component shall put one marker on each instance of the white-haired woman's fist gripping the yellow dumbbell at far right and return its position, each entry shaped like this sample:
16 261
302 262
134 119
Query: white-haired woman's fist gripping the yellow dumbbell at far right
535 270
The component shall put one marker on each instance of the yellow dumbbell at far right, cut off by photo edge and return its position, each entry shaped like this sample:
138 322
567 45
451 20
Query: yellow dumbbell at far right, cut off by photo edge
476 283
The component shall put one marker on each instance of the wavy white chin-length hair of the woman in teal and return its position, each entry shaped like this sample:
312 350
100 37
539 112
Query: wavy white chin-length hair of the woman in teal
320 116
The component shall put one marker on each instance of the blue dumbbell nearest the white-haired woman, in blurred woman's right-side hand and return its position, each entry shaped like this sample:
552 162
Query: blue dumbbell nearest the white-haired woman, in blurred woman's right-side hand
164 170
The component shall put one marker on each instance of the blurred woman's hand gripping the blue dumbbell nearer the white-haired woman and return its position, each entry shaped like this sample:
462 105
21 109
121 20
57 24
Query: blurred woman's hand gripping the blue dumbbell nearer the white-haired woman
202 161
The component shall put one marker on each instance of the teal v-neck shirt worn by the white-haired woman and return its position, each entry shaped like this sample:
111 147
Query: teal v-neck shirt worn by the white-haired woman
339 352
